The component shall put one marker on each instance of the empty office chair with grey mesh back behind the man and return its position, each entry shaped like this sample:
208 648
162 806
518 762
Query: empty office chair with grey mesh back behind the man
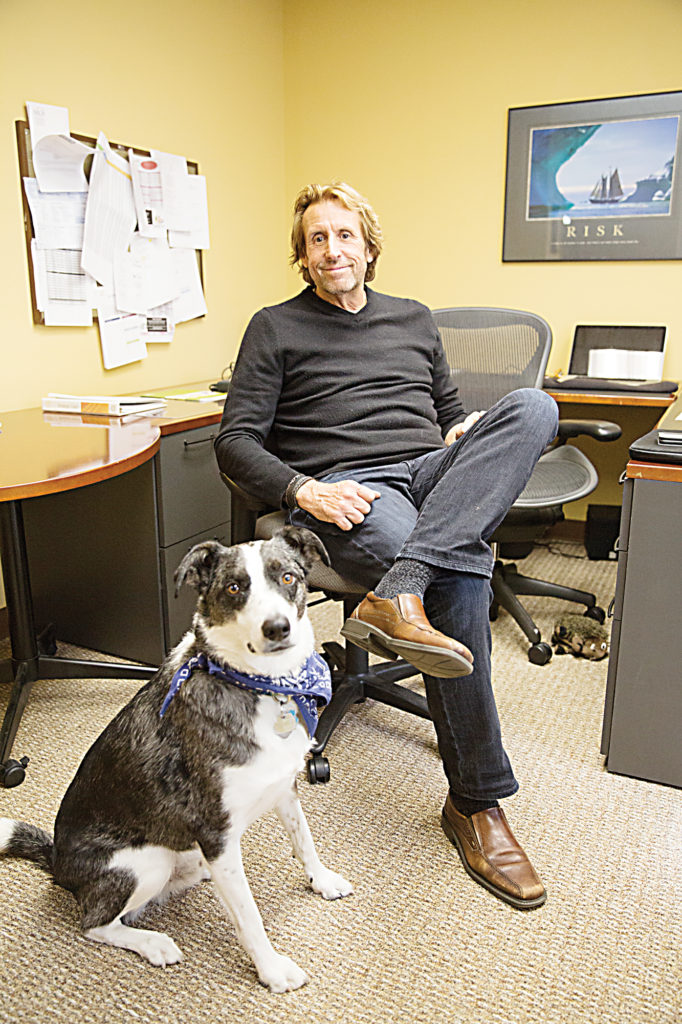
492 353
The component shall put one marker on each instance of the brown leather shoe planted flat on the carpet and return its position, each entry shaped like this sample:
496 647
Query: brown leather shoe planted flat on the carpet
492 856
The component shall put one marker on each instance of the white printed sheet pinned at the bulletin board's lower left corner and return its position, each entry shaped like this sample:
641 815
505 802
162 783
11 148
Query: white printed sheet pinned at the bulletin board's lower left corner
64 292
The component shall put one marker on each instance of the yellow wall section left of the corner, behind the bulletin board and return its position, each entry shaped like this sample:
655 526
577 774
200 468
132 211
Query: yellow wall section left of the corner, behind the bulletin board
203 80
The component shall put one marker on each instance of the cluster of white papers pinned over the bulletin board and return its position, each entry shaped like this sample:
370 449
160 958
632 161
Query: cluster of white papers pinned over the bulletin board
123 243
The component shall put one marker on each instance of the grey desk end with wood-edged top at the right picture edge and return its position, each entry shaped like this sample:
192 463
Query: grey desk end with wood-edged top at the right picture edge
644 709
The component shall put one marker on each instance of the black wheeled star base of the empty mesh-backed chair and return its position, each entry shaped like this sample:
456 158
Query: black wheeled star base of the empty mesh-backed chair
508 584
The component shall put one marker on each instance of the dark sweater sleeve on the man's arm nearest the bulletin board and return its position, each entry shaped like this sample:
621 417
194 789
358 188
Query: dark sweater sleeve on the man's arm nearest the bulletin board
249 414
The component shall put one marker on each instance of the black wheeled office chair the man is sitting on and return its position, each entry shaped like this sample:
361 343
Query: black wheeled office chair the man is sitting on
353 678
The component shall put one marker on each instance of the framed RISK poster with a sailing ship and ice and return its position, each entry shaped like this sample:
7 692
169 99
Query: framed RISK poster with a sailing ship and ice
595 181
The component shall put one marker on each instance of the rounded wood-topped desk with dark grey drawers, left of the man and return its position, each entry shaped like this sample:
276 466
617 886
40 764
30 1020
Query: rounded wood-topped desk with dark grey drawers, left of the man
93 514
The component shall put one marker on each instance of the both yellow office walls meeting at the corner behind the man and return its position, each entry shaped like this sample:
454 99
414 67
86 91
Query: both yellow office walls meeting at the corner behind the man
406 101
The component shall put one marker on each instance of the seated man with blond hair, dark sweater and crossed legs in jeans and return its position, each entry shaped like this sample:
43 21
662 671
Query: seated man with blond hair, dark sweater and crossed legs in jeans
343 411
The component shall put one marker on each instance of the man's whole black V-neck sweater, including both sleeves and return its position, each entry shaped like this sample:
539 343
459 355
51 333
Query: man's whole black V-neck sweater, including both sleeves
318 390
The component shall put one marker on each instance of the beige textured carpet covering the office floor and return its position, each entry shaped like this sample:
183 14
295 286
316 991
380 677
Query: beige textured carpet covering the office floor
419 942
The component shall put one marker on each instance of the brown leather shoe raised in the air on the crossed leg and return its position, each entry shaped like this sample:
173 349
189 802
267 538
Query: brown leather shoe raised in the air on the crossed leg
398 627
